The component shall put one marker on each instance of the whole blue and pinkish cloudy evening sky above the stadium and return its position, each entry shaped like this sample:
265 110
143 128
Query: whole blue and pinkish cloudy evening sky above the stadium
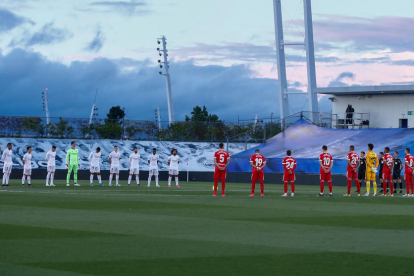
221 53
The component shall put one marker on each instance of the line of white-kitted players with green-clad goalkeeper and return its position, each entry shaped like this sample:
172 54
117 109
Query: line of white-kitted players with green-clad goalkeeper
72 164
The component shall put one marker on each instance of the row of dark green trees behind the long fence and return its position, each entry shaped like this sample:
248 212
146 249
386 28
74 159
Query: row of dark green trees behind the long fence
199 126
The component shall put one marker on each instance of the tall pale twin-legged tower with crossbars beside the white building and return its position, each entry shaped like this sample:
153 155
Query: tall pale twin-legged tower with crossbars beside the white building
281 63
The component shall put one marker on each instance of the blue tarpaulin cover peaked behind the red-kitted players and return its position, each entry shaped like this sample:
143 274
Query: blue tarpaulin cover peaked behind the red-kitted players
305 140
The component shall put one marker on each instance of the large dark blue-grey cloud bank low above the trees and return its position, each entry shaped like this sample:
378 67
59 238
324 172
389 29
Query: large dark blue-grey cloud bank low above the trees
226 91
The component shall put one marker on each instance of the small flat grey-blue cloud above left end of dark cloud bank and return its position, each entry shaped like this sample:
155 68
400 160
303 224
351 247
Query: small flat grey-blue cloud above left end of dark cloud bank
48 34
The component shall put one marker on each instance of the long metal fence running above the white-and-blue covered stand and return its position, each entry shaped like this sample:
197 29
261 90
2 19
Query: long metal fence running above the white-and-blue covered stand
255 130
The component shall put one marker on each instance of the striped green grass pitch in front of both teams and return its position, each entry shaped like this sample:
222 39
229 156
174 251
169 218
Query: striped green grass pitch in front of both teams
169 231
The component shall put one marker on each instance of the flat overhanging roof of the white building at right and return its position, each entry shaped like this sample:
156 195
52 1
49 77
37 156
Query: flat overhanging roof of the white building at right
366 90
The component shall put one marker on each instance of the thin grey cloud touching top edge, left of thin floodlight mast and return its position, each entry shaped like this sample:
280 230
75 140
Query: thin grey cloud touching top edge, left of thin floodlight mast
131 7
